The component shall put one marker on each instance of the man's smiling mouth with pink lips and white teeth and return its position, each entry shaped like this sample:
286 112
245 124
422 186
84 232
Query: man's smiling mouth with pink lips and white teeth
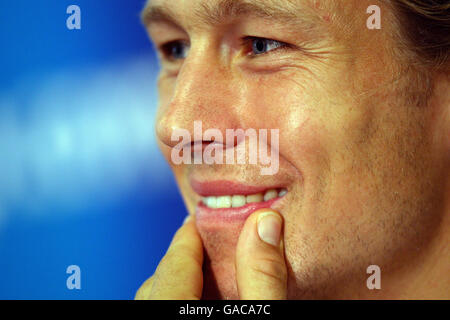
230 201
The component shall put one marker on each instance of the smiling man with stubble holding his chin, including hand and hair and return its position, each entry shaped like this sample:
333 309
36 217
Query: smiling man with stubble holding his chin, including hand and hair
363 117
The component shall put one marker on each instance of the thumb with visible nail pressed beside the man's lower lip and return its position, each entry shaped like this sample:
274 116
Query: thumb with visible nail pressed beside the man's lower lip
261 271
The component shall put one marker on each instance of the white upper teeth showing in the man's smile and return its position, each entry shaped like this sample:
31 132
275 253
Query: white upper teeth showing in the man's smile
240 200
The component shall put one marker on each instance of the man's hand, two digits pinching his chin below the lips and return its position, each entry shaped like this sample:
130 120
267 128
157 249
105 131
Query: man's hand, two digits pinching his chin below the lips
261 271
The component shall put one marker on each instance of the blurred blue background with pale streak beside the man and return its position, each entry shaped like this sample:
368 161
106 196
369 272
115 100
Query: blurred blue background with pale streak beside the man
81 179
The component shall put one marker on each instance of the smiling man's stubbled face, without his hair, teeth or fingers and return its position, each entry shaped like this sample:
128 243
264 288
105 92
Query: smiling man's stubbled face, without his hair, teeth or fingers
356 157
